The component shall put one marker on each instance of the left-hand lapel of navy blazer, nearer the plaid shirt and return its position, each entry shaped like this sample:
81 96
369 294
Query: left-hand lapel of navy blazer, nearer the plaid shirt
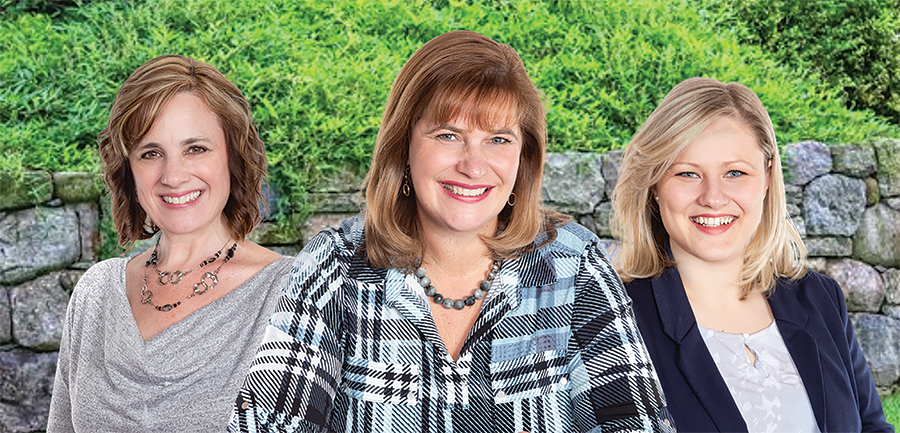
692 356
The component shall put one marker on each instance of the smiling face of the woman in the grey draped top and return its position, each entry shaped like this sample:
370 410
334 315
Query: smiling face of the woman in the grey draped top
180 168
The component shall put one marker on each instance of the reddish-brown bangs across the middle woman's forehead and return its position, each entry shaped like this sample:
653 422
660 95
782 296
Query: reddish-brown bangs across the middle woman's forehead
485 108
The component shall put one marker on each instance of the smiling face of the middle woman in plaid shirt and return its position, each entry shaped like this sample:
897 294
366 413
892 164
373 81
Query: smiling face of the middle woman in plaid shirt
462 175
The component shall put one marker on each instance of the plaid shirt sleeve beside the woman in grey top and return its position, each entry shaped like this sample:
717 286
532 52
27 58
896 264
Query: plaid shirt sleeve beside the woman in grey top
292 381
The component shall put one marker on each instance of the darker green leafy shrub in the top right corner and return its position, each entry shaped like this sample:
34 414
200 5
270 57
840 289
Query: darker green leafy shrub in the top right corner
852 44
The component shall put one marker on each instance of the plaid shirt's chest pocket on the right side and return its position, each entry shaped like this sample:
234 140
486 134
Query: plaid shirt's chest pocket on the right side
529 376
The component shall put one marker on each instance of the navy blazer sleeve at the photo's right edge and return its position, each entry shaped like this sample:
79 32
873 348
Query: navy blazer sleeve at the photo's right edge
871 413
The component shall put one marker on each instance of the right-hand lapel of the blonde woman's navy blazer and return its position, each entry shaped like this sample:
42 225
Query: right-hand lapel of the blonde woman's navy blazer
804 352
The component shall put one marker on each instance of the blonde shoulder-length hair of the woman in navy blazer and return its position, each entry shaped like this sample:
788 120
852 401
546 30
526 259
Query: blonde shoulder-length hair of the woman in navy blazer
776 249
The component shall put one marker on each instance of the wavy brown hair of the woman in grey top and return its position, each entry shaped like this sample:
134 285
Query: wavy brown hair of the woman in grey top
137 105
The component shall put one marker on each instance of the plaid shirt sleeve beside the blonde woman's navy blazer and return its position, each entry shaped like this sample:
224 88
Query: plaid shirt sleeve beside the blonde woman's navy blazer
614 385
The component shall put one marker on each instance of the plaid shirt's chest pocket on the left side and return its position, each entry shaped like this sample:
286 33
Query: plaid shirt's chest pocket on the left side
378 382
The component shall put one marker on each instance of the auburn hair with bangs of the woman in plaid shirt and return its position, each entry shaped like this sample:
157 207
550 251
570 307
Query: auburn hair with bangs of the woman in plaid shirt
459 72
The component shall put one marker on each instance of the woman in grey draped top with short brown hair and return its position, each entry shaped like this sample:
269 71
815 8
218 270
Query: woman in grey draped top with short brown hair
160 341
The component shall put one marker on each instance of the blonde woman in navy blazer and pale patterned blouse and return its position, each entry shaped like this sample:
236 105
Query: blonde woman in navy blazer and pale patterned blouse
744 338
